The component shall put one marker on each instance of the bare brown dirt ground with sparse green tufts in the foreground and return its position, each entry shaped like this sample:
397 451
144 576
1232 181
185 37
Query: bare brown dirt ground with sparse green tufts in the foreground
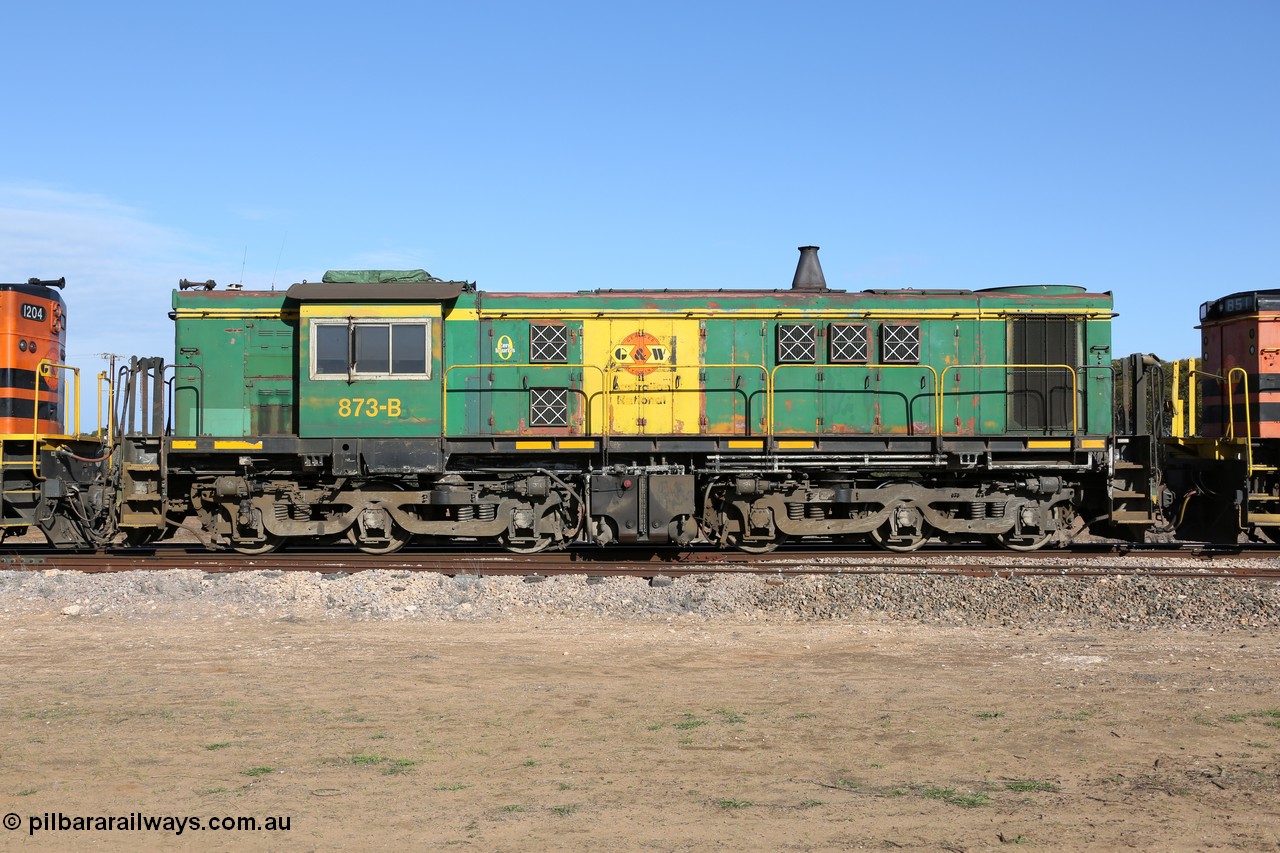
621 736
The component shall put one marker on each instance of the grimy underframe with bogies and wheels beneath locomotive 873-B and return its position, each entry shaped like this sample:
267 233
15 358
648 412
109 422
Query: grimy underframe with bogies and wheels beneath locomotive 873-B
254 495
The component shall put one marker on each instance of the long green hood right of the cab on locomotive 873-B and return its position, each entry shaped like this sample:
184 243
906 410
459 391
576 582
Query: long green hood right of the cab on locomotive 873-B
958 330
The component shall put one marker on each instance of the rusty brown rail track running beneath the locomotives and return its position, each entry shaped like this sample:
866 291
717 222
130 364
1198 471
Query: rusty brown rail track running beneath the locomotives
1086 562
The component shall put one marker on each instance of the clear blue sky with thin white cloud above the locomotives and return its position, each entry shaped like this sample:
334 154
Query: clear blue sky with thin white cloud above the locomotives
1122 147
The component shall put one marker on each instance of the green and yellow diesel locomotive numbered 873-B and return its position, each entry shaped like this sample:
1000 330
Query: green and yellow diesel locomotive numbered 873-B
390 407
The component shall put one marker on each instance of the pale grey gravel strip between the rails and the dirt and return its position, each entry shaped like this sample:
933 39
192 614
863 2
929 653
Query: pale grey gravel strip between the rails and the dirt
1136 603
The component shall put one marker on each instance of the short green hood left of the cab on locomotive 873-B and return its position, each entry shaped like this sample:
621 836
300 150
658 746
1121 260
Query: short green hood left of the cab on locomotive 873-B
236 362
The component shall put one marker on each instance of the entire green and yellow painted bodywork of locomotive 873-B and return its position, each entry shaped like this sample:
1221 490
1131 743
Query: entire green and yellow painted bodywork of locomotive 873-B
245 366
